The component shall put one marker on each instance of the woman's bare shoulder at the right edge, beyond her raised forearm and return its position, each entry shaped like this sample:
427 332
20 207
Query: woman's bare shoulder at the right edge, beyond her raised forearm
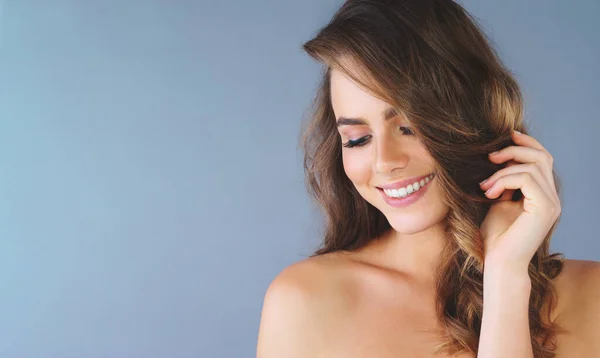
578 310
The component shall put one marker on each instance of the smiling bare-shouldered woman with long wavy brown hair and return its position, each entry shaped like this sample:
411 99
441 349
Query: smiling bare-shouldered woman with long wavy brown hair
421 255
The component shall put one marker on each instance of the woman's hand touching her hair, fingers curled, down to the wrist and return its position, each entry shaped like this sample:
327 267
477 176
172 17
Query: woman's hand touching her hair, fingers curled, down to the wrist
513 230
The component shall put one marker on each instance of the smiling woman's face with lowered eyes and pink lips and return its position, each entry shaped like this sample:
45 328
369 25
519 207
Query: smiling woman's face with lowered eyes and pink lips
389 153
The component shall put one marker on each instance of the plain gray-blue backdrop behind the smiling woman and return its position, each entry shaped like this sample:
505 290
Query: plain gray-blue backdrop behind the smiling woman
150 183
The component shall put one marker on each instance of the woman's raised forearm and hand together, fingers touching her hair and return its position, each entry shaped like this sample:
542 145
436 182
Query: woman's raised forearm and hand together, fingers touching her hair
512 232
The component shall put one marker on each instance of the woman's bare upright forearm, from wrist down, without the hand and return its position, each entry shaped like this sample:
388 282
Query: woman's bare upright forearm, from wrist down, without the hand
505 321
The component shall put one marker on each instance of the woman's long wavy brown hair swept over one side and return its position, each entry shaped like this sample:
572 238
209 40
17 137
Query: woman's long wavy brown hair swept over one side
431 61
